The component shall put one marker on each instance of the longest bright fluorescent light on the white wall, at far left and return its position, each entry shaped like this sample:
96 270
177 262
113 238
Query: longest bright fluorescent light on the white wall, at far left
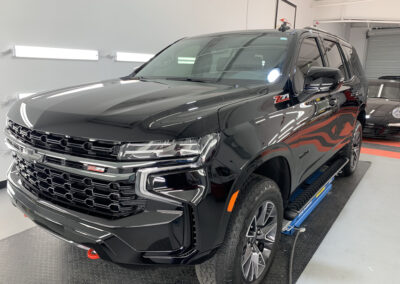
55 53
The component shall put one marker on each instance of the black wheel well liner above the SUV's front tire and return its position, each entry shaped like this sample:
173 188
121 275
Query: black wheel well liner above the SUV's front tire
278 170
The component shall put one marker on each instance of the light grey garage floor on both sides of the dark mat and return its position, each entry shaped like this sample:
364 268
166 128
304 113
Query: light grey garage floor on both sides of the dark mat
352 251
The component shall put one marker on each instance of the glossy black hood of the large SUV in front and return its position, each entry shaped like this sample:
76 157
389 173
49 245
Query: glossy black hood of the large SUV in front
128 110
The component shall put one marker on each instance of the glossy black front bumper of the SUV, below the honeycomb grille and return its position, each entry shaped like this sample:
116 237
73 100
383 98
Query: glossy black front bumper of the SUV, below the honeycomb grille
159 236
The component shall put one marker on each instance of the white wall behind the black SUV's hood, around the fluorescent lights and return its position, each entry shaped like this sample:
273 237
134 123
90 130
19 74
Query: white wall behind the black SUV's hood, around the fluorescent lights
109 26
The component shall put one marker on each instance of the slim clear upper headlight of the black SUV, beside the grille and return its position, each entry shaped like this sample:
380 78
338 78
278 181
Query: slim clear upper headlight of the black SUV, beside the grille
190 147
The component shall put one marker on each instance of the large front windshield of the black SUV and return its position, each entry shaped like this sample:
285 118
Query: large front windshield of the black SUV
256 57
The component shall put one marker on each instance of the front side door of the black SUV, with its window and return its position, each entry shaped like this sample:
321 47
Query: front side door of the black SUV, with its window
312 137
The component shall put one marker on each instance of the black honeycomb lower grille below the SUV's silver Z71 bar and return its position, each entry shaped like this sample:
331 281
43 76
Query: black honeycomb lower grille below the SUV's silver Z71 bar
88 195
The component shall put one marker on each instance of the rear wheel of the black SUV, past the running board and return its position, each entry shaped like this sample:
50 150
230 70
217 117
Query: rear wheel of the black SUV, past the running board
352 151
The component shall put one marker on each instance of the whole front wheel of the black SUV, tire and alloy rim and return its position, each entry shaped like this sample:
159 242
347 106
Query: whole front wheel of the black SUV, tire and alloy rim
251 239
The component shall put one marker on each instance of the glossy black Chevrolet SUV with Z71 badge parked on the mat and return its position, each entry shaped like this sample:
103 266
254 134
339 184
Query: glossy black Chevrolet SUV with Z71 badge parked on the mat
191 159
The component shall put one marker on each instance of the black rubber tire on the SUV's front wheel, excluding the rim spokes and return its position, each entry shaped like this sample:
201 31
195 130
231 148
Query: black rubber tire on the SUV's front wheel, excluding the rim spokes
226 265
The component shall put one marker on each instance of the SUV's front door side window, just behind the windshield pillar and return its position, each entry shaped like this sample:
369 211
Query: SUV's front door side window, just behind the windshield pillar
309 56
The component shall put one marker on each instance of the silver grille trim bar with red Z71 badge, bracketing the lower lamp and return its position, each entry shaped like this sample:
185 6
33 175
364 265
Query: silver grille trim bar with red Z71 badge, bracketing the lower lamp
135 172
